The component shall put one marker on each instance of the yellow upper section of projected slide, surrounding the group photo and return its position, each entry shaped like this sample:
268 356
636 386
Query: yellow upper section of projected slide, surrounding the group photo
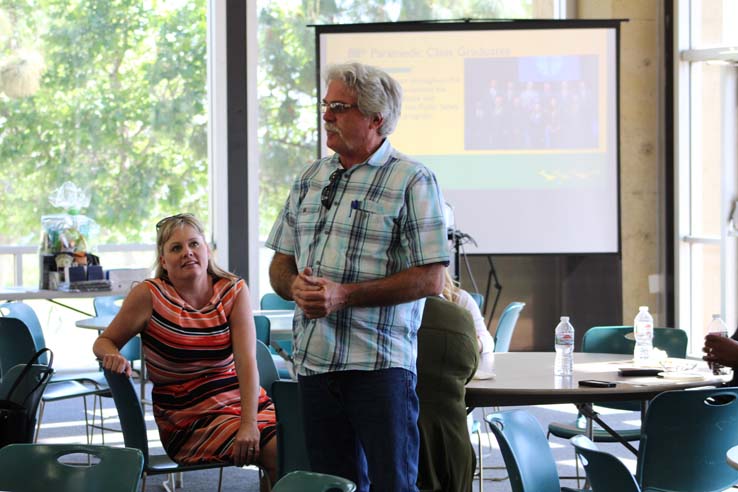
431 68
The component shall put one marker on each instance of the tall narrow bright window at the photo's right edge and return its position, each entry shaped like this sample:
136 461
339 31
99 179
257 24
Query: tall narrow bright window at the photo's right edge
706 164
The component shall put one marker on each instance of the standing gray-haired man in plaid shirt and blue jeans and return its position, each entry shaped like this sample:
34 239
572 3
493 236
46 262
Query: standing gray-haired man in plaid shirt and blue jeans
359 244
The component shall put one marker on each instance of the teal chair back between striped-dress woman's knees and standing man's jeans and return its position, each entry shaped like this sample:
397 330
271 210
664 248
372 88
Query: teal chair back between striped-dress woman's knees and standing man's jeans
291 446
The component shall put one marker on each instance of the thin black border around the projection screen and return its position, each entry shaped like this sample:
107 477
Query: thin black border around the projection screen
486 25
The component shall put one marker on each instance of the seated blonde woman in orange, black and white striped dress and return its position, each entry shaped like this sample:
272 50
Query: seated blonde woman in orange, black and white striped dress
198 339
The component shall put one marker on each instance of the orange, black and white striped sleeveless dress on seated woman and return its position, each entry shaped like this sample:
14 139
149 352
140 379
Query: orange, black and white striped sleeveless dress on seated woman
189 359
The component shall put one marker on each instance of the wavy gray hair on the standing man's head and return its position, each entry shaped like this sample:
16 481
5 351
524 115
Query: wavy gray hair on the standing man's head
376 91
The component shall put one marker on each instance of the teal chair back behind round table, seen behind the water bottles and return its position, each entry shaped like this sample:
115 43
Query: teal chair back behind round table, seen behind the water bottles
613 340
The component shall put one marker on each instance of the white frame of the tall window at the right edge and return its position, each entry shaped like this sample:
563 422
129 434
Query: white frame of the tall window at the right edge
688 244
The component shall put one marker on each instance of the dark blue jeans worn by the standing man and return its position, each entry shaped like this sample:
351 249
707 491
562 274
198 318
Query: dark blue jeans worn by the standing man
363 426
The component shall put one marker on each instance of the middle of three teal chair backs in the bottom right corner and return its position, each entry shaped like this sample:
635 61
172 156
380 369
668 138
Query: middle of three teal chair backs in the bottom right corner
605 472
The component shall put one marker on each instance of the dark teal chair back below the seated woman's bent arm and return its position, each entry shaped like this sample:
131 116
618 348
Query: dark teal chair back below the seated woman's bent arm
130 413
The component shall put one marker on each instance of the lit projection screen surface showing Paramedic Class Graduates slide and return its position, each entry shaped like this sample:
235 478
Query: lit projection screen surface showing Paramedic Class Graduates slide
519 125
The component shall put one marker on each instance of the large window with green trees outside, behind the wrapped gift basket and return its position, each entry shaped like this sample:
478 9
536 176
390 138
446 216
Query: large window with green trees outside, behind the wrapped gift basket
111 96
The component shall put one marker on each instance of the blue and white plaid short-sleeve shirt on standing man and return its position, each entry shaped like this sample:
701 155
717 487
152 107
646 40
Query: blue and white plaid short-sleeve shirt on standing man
386 217
